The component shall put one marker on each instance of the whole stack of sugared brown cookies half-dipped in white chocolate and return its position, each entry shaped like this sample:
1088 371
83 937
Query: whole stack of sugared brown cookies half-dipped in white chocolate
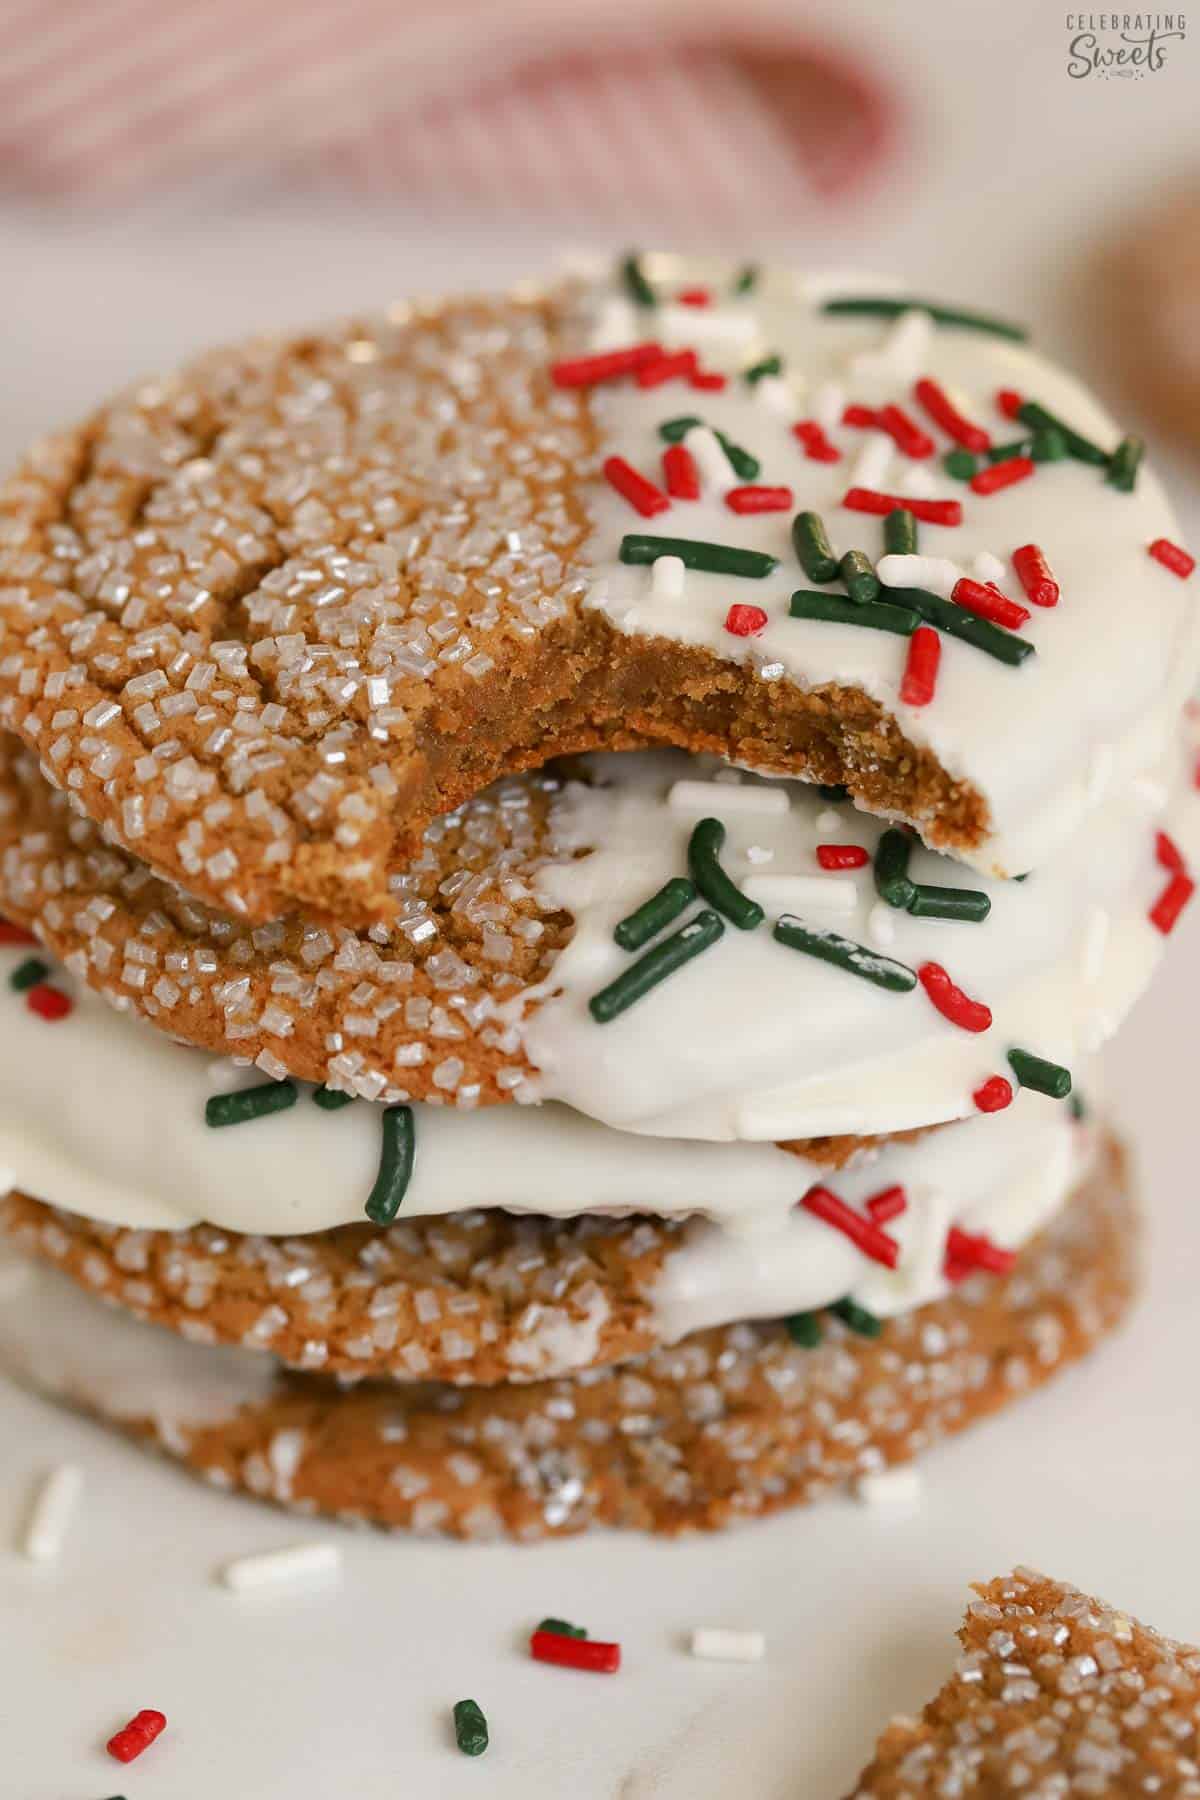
564 859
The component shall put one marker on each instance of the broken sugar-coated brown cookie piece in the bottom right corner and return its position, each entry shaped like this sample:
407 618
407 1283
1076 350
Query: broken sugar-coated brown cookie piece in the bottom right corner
1053 1695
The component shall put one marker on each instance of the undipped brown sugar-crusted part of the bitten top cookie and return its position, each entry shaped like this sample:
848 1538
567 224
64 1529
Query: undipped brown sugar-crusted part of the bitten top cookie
210 575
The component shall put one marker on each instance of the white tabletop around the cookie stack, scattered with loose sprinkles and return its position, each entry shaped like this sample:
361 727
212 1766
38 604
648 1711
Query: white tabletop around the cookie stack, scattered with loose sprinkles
348 1689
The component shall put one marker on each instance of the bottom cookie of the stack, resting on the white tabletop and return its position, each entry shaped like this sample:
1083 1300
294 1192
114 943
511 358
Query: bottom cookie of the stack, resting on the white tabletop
726 1426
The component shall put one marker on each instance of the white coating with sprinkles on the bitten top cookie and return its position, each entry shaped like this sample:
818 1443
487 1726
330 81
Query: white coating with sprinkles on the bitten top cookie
1115 660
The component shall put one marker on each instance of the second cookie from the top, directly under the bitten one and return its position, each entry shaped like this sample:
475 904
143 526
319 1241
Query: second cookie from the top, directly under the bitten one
668 946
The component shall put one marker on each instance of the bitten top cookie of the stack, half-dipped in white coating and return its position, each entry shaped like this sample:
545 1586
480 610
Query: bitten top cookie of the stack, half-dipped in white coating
273 615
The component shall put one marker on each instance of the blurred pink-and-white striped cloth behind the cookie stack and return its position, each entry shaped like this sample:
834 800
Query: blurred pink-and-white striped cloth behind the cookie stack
699 114
